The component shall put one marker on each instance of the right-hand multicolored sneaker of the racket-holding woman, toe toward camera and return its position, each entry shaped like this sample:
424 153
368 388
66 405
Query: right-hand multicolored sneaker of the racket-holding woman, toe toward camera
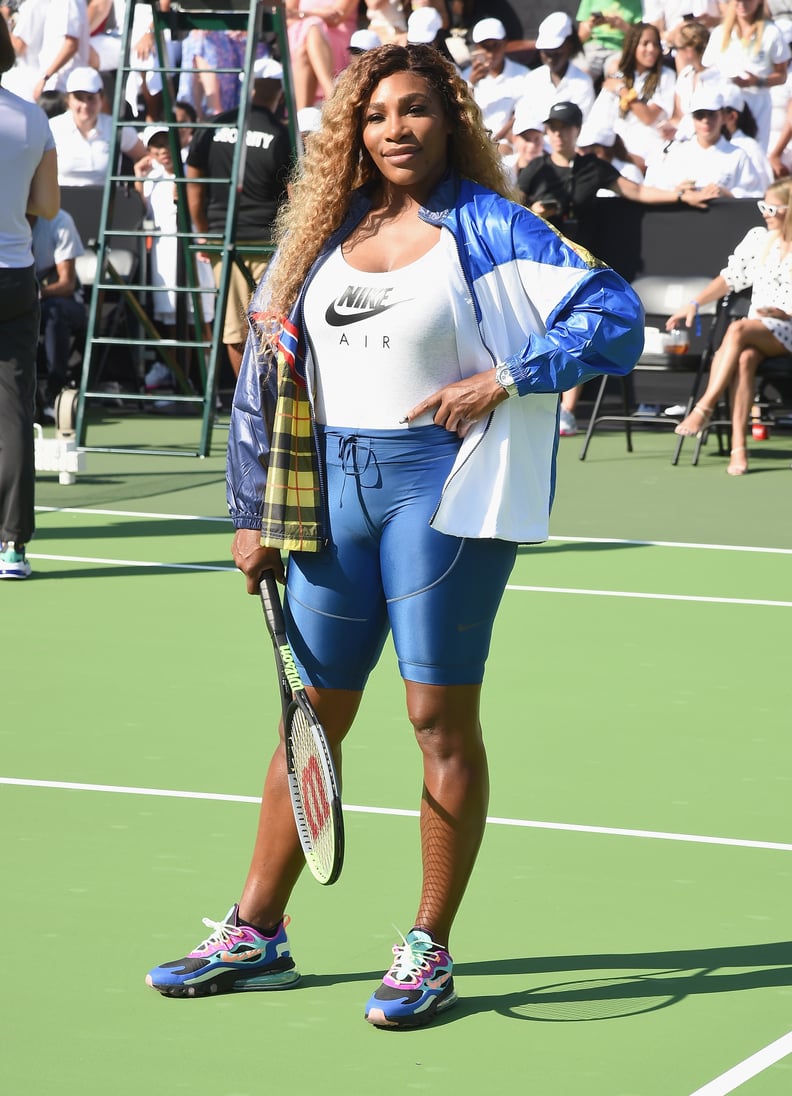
417 988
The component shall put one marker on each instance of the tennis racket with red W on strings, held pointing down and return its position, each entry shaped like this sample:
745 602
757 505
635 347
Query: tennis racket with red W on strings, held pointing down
314 785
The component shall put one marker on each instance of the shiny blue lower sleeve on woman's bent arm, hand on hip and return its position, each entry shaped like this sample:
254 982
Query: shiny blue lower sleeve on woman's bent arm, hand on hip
599 328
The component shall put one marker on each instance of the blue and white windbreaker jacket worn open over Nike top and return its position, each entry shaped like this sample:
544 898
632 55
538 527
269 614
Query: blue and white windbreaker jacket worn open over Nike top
524 296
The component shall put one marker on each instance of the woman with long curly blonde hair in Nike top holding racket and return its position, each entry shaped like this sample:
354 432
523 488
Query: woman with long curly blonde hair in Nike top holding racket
428 454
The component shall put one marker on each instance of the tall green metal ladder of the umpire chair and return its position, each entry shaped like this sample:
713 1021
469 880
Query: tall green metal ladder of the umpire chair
257 18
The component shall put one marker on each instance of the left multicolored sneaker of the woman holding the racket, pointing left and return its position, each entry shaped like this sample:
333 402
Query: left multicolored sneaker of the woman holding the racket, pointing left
234 958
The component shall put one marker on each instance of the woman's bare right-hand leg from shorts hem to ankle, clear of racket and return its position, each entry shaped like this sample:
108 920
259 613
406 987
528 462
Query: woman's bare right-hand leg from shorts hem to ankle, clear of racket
455 797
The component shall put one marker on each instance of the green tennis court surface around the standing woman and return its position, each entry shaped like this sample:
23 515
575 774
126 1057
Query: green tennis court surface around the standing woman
627 931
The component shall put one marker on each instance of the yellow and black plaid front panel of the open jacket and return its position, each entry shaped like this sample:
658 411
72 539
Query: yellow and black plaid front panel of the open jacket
293 505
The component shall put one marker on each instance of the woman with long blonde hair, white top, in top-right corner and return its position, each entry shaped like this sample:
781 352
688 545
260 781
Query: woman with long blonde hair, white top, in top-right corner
752 53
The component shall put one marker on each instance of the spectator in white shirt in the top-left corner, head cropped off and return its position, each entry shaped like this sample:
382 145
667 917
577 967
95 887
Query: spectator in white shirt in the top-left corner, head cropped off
51 39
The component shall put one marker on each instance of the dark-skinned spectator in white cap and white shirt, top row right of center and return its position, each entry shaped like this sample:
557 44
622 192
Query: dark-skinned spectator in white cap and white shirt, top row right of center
558 79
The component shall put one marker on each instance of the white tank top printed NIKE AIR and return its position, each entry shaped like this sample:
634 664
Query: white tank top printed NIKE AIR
381 344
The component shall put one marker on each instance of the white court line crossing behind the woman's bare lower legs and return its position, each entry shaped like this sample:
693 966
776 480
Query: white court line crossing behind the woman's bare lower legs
223 797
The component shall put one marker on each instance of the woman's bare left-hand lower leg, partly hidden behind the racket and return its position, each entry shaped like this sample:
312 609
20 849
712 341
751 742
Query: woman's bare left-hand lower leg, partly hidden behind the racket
278 858
